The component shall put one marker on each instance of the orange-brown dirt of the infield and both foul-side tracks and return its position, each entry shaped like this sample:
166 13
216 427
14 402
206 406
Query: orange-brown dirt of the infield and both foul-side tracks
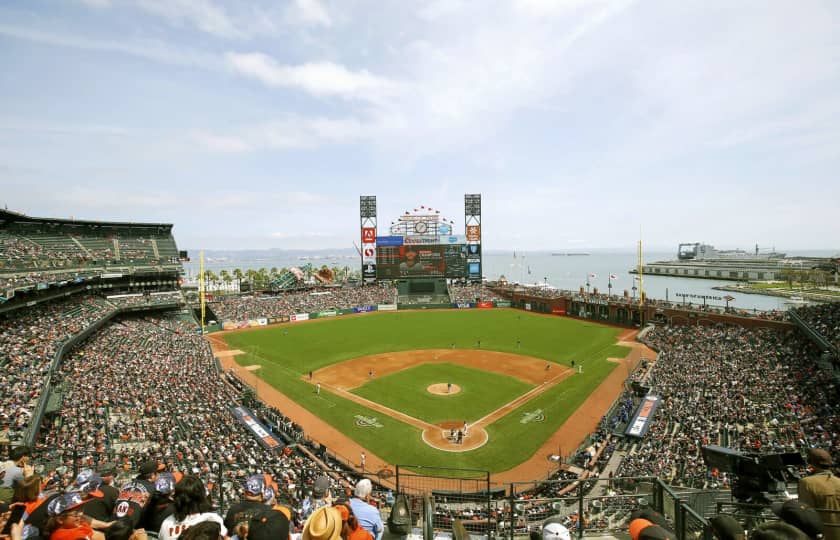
343 377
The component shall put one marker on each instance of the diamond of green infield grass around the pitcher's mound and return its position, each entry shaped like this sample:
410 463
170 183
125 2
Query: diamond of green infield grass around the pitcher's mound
481 392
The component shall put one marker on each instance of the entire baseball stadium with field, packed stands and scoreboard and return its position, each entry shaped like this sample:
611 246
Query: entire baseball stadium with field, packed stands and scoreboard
451 405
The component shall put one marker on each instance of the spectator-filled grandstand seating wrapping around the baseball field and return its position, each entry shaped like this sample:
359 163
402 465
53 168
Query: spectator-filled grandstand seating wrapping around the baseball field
102 363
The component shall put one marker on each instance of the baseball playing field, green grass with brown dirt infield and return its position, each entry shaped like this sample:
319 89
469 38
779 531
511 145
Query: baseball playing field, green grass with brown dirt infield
401 384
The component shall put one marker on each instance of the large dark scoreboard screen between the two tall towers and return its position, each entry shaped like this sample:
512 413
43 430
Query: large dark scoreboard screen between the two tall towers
421 260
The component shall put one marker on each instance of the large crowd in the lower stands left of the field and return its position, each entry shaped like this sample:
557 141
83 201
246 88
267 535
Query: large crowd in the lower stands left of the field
147 388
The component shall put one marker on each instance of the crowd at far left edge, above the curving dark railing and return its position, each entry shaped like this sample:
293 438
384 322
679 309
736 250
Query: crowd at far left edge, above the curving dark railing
28 344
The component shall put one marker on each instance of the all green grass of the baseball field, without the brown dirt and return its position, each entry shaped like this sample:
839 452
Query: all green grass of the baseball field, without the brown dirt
288 352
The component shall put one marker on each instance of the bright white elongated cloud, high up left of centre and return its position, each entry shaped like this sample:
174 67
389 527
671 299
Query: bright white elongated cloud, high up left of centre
317 78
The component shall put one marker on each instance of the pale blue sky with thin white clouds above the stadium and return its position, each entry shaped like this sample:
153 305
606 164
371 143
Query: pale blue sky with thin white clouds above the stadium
259 123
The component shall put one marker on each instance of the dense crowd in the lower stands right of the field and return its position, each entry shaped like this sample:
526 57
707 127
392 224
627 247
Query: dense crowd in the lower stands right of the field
747 389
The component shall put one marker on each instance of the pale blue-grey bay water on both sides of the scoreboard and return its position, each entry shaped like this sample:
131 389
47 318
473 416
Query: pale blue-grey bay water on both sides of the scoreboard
563 272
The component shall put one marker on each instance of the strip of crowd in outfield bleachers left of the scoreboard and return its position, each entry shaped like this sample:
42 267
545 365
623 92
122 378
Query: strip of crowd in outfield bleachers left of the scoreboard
249 307
